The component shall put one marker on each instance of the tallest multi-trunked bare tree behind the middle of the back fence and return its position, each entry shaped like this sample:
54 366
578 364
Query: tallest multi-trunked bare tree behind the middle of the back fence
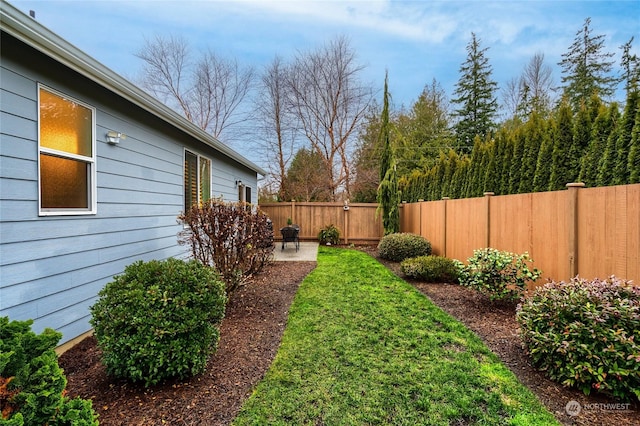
329 102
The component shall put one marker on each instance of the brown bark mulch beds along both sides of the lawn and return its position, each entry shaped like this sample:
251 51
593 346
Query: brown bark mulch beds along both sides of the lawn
250 335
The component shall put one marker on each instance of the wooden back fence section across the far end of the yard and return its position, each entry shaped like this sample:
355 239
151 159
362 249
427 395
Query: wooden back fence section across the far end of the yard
358 224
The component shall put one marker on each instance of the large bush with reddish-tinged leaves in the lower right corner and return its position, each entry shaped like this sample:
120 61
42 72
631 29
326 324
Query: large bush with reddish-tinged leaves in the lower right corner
583 334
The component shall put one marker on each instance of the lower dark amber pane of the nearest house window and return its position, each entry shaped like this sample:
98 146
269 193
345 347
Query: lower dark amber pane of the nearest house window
64 183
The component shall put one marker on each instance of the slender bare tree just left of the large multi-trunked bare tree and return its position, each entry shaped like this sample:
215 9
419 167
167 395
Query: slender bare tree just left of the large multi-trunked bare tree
276 124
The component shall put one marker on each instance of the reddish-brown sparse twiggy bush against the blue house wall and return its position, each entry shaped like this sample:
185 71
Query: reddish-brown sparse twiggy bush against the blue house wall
234 238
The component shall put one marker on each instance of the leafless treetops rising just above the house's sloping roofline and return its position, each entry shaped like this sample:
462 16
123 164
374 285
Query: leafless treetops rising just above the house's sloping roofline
209 90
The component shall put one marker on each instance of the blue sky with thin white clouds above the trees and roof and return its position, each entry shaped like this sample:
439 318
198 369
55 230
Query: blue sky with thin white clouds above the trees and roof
415 41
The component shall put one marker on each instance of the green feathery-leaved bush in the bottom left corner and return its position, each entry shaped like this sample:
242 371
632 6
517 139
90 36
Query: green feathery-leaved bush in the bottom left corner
31 382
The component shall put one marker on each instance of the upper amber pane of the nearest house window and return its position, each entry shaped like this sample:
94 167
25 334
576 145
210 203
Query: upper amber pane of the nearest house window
65 125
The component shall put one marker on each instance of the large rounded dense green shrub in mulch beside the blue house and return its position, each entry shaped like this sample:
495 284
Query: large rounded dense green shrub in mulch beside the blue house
159 320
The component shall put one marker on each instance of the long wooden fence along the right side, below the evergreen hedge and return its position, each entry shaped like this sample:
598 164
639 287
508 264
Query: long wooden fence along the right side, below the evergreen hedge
591 232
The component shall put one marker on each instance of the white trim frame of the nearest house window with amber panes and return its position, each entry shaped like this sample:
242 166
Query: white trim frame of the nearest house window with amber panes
93 201
